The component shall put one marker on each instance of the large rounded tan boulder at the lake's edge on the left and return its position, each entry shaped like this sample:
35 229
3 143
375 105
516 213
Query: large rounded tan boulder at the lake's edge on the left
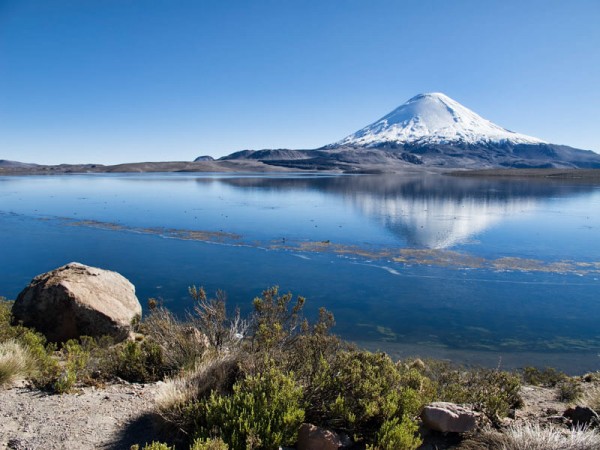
78 300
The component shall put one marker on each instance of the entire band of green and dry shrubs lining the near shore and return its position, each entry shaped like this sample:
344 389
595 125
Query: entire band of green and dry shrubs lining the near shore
249 383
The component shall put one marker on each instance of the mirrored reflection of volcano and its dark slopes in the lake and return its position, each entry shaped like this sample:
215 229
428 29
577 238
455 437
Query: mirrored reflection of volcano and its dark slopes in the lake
434 212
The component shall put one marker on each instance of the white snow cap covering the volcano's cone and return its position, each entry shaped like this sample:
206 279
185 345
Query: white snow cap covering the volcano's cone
433 118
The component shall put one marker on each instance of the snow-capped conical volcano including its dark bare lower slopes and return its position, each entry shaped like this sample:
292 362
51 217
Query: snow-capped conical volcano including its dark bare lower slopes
429 130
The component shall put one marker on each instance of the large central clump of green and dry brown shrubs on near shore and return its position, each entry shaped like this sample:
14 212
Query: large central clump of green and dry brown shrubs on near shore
255 393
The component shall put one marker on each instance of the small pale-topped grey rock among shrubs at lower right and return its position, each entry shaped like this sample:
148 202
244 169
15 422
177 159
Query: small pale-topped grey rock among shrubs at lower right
449 417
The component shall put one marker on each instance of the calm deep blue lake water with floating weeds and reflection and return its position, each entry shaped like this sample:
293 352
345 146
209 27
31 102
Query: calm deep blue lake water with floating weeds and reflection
491 272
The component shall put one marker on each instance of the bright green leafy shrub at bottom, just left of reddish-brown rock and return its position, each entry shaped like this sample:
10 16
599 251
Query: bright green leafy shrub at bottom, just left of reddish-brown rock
263 412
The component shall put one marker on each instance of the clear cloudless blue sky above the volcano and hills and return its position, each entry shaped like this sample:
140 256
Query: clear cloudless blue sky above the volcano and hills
110 81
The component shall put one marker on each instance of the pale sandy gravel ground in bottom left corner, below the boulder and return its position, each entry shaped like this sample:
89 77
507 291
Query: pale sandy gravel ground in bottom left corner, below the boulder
113 417
